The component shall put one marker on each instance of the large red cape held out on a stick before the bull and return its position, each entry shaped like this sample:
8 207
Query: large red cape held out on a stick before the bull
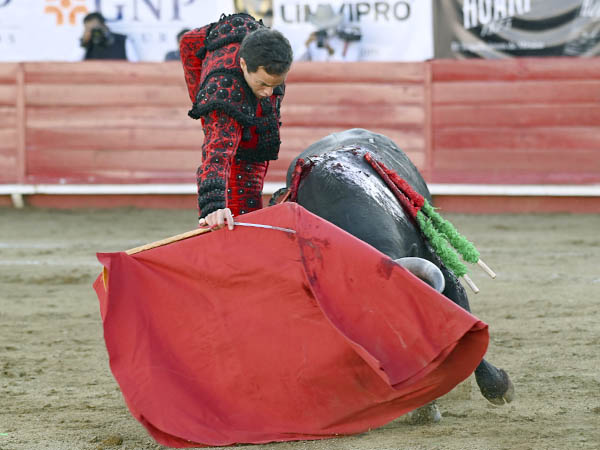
255 335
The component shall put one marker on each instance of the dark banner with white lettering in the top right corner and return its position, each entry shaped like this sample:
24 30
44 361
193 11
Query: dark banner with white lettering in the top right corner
509 28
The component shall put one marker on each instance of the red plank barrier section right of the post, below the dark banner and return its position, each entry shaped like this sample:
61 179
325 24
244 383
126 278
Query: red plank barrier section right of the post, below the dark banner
516 121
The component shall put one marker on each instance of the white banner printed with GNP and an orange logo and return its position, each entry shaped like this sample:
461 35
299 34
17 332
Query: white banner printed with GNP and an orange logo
49 30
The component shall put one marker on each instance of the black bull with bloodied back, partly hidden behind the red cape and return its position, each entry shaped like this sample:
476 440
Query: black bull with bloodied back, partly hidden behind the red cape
343 188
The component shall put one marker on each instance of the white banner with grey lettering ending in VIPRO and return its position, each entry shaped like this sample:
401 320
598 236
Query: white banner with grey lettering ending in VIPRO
392 30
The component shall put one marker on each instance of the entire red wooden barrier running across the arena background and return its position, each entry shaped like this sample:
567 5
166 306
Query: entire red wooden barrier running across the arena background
517 121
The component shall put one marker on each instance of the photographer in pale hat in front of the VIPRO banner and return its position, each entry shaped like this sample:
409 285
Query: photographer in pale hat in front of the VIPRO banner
332 41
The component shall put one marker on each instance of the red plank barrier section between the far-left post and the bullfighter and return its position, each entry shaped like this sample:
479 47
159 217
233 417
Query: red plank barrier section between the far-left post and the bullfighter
108 123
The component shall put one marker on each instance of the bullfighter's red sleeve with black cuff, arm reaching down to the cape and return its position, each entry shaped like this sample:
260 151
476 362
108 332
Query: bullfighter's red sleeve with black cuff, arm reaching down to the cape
222 135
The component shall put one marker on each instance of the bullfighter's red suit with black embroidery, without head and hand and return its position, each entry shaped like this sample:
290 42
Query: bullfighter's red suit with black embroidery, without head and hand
241 132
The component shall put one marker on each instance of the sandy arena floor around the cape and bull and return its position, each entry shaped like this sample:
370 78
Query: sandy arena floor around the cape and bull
57 391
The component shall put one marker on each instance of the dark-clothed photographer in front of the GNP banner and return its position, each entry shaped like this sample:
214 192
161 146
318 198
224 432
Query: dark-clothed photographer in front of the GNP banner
99 42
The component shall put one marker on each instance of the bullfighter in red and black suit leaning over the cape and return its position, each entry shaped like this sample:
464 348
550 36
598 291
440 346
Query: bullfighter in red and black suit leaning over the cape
235 70
